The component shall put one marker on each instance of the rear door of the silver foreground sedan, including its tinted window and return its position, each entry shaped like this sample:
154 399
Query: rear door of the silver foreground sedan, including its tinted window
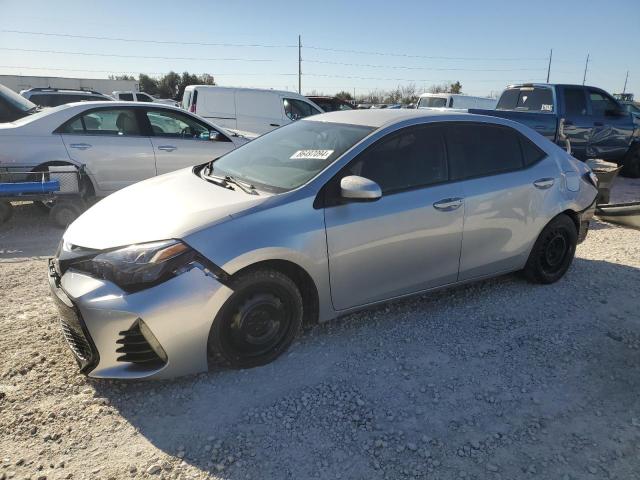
504 179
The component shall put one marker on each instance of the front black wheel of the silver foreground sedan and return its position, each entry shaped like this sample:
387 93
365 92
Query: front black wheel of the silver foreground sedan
258 322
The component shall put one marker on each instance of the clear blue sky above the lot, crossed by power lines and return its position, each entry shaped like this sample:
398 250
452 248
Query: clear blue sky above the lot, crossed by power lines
483 44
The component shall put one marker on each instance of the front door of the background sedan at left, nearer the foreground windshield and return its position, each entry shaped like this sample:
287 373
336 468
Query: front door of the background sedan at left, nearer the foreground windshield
180 140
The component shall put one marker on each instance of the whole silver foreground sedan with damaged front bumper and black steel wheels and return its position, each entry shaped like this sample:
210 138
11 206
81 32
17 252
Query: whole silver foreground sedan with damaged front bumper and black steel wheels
224 262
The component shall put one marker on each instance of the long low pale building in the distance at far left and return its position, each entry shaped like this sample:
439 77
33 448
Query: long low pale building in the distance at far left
102 85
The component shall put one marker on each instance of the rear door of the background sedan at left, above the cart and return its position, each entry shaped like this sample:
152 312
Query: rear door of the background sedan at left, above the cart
112 145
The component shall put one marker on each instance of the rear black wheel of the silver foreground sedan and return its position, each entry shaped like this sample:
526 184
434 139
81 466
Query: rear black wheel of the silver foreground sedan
553 252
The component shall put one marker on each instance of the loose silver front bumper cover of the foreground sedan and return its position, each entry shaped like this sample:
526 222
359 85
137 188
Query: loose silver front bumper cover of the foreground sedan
160 332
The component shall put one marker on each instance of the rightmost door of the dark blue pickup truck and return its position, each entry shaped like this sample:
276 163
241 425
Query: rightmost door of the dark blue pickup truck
612 126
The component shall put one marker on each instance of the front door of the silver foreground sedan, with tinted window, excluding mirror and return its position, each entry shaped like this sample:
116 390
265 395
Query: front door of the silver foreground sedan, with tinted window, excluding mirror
407 241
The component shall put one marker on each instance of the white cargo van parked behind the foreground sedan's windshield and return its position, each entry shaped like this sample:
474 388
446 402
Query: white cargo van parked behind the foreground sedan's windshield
247 109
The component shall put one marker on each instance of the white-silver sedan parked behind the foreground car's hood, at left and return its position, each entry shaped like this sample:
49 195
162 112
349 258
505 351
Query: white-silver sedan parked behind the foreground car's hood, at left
118 143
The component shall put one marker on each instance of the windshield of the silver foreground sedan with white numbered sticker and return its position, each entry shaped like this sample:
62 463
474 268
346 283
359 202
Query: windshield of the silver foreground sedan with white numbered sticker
290 156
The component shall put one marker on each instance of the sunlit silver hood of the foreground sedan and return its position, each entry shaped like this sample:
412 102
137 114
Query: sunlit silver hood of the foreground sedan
169 206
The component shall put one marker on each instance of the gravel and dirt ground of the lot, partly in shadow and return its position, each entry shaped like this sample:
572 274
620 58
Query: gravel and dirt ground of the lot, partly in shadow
500 379
